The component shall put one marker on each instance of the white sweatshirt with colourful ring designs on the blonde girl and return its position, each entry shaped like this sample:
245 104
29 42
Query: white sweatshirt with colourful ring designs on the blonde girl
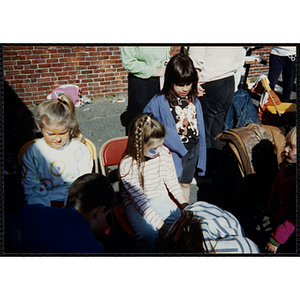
47 173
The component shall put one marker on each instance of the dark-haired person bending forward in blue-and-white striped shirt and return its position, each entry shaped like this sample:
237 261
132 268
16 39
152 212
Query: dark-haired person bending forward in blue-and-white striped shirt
207 228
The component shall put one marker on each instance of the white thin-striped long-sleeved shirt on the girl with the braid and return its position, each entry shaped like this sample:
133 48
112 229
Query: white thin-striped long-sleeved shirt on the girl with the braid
159 174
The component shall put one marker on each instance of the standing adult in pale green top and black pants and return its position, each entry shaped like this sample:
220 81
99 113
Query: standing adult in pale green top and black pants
146 66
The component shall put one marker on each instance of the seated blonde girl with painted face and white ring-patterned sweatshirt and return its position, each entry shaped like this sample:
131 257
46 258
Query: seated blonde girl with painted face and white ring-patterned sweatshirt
52 163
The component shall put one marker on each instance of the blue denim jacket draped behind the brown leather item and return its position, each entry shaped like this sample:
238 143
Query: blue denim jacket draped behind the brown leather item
241 111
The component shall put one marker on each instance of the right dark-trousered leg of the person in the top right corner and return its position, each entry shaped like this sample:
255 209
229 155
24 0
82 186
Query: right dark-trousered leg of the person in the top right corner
288 78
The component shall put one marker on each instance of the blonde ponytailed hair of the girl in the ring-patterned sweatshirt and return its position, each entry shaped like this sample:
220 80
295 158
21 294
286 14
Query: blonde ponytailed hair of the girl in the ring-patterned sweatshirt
59 112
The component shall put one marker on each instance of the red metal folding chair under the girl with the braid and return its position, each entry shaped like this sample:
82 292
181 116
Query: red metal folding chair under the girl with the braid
110 155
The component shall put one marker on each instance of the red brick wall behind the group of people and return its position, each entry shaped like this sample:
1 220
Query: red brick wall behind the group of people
34 71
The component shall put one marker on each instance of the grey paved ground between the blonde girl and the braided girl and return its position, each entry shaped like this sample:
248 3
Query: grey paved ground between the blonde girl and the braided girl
99 121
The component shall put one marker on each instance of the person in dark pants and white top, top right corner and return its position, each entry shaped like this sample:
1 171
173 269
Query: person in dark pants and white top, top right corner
283 59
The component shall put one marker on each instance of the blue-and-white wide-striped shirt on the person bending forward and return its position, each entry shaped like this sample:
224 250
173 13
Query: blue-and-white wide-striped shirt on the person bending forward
222 230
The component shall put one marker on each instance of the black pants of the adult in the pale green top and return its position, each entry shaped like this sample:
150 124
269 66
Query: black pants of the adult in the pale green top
140 92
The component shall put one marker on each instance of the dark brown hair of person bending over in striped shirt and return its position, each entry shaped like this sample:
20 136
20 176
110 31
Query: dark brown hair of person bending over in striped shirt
186 236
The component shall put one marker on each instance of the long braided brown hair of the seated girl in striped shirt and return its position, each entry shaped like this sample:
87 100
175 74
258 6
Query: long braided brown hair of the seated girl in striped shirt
141 130
